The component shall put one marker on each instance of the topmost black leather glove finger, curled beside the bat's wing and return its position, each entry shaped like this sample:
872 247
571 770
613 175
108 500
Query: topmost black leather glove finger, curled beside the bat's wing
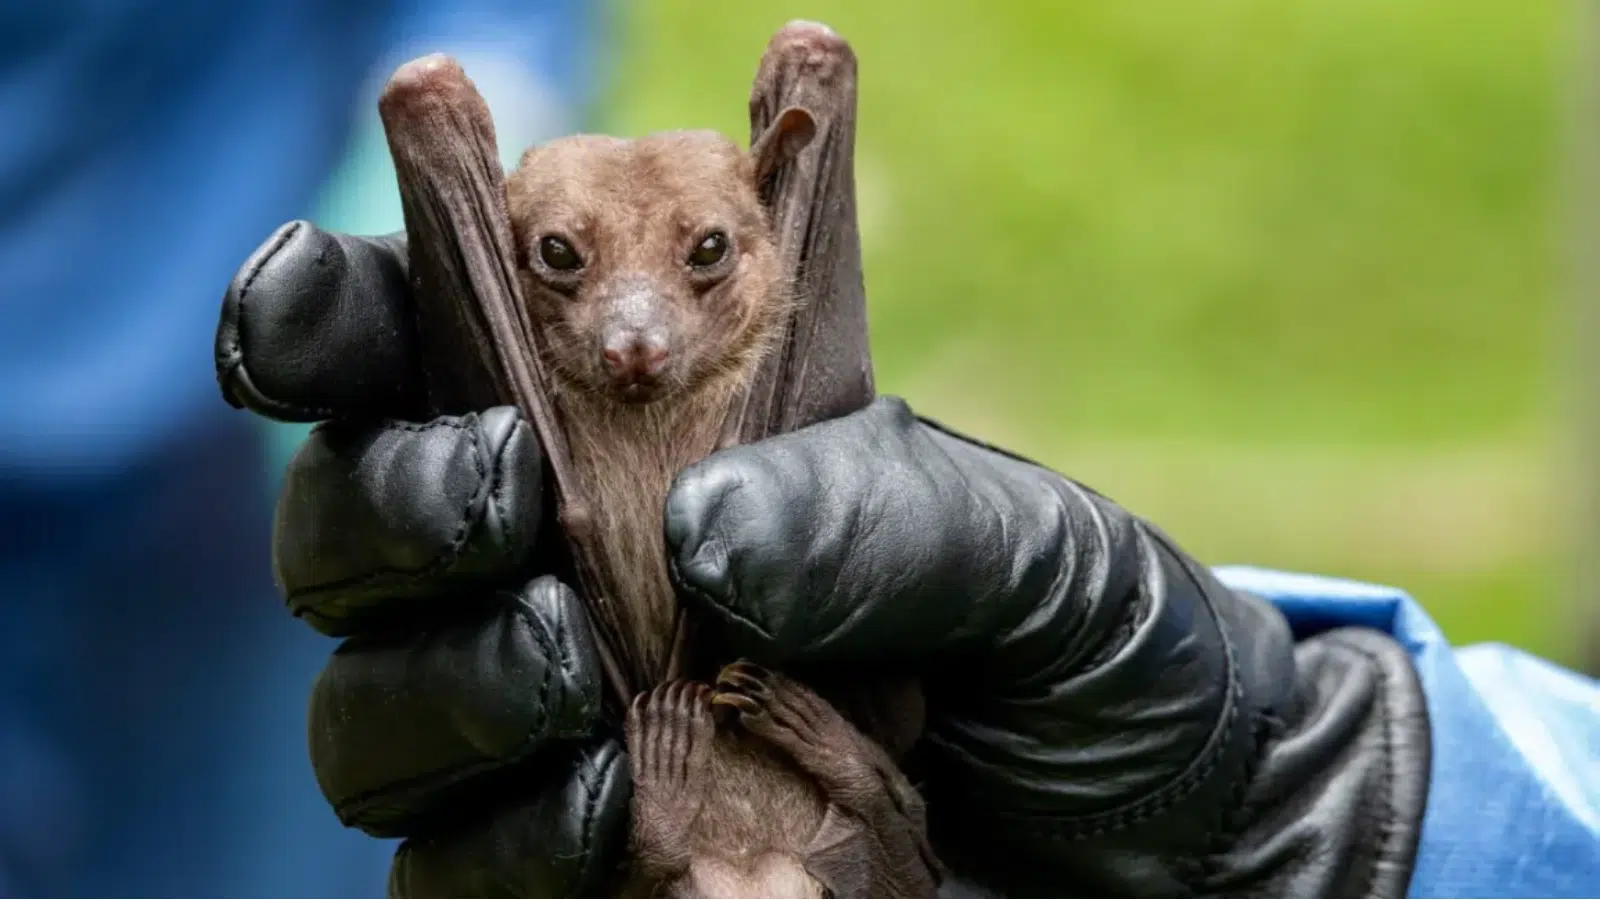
318 326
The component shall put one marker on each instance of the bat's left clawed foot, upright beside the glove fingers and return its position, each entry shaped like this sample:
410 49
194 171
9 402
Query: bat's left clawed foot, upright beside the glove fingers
670 742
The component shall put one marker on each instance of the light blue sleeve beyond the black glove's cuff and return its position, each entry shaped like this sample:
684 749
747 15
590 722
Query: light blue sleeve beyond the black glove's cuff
1514 798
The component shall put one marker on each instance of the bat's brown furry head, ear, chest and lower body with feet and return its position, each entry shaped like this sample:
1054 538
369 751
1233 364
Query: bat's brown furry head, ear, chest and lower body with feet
748 808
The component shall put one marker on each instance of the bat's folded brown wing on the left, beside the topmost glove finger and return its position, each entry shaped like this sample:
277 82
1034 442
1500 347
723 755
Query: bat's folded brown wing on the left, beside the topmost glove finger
479 347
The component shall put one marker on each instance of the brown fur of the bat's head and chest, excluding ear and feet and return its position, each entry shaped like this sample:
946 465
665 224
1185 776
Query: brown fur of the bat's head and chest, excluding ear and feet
633 211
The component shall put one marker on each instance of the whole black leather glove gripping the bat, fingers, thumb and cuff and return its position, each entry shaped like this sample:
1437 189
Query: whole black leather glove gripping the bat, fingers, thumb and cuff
1103 715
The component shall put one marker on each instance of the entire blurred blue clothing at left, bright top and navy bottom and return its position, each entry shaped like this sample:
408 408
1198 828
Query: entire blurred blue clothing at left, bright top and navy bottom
153 689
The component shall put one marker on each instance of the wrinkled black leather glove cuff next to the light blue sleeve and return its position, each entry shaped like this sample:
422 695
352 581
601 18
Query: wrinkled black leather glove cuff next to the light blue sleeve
1342 782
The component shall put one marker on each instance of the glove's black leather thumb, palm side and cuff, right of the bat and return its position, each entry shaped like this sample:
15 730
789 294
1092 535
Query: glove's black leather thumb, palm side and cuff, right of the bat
1103 712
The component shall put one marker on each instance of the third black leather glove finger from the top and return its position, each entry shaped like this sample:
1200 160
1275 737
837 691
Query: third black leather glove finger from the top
404 725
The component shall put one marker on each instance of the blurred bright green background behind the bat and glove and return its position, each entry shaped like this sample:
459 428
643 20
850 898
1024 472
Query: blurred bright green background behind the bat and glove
1284 278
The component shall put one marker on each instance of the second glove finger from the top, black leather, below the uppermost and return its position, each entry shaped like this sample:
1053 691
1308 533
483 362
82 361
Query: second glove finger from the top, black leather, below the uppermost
386 520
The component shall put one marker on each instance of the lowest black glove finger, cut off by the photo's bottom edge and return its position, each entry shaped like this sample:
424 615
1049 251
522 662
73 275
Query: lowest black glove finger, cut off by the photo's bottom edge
567 842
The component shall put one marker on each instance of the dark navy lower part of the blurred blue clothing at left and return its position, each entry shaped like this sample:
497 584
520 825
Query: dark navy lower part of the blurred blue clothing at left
153 693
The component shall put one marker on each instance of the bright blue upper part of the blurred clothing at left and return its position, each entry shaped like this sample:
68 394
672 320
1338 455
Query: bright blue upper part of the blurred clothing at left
148 150
